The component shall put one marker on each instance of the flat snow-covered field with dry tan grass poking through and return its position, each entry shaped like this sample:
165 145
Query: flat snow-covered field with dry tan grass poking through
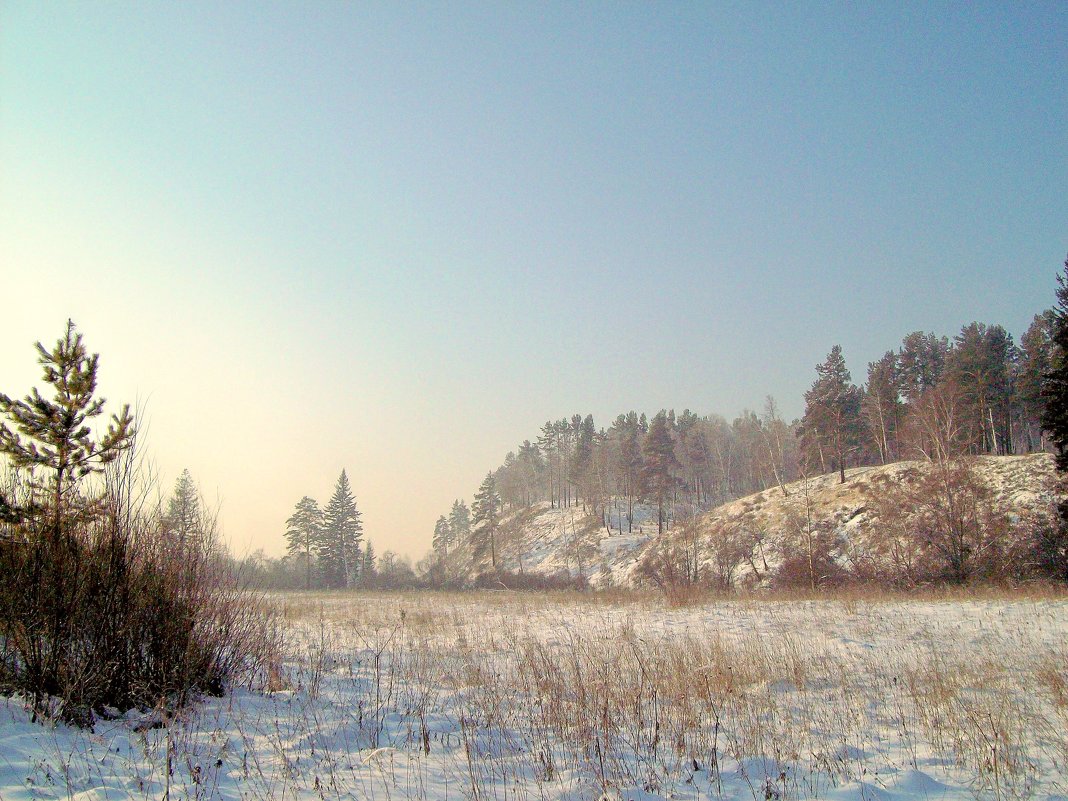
517 697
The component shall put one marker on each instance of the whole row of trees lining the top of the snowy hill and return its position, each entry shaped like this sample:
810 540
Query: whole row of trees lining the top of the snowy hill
932 398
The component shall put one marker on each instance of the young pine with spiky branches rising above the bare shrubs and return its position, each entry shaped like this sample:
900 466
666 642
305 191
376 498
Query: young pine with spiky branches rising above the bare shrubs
55 436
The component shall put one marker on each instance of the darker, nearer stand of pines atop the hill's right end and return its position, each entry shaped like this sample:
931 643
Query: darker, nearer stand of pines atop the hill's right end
934 398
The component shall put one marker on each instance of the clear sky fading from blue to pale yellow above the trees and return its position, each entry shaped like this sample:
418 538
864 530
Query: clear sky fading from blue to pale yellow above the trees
396 239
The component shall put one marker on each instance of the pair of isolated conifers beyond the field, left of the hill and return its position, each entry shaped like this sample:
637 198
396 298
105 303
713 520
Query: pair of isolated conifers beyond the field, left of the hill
328 543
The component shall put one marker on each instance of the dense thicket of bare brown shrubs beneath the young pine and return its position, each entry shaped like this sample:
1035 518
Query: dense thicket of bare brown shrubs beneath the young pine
121 614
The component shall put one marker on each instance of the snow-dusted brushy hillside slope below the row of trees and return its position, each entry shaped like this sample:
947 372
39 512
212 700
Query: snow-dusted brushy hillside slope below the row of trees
896 525
